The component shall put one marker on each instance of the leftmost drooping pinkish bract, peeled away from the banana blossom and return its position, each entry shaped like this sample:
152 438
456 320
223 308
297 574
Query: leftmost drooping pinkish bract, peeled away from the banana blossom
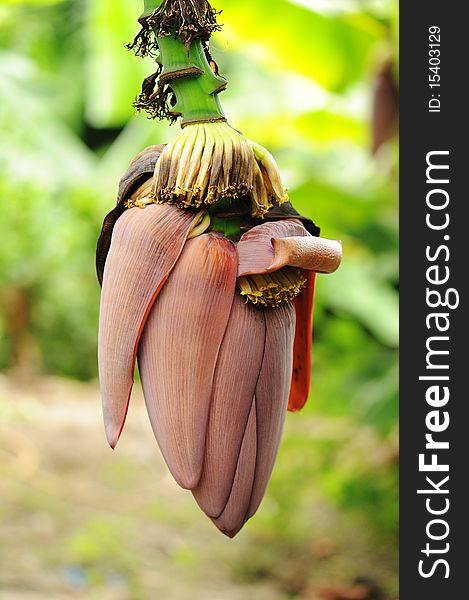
144 248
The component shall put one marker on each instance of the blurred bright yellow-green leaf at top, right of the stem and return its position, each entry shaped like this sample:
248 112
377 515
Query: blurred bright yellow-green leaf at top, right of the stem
332 50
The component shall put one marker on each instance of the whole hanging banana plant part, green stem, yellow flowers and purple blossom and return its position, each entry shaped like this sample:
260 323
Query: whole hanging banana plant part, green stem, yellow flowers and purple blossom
208 277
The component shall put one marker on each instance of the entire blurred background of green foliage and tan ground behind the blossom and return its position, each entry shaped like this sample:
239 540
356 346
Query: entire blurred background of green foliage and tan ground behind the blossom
302 76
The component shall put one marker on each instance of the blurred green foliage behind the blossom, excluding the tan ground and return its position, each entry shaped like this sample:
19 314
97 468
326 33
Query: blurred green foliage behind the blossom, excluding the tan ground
301 77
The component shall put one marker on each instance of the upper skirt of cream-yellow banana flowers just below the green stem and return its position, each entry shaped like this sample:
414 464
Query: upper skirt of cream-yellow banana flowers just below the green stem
209 161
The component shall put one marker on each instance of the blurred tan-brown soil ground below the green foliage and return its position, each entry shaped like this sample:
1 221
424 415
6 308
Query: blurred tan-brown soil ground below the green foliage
79 521
